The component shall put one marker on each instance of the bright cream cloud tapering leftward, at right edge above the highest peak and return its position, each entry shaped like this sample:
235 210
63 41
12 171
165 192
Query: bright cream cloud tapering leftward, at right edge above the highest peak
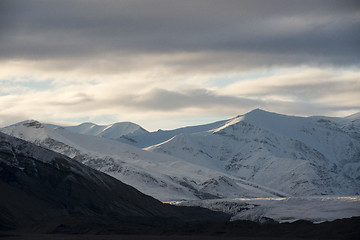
303 84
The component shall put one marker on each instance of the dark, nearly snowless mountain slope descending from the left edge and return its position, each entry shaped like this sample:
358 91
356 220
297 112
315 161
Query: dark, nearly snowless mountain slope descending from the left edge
39 186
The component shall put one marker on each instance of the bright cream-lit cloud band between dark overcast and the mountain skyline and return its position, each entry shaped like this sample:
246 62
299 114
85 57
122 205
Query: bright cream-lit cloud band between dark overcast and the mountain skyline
299 91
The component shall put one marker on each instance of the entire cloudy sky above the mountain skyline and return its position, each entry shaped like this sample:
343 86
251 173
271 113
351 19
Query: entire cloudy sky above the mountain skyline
167 64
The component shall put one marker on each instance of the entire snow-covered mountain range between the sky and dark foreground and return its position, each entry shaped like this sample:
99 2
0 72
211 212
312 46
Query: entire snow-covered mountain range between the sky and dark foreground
259 154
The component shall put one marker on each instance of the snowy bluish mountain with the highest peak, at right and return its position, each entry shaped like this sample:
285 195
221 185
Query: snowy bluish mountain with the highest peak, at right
296 155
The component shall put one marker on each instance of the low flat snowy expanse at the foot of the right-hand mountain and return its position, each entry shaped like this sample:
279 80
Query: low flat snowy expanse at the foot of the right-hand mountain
315 209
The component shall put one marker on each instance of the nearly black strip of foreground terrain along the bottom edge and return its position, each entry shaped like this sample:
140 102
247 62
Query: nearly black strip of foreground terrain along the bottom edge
98 228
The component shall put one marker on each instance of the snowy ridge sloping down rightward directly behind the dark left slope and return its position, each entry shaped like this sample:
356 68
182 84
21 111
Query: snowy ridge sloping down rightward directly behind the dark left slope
162 176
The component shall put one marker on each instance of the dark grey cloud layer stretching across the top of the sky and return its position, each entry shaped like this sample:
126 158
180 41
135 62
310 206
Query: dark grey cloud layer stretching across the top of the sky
61 30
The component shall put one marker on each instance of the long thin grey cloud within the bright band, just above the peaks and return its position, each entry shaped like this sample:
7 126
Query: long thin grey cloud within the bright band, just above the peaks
159 100
